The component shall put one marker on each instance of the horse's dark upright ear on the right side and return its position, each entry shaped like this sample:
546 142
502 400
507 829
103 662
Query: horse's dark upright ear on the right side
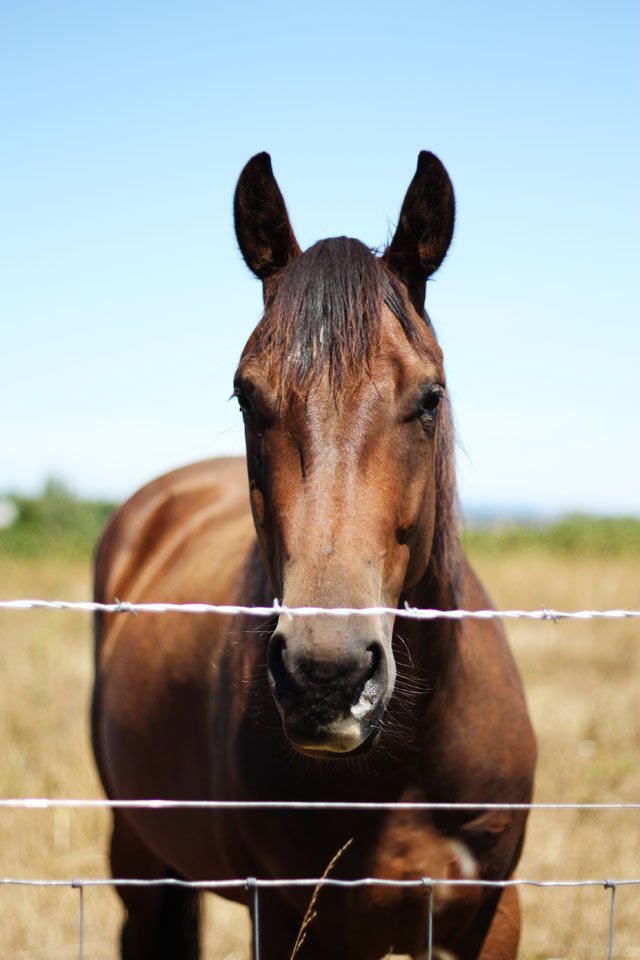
424 229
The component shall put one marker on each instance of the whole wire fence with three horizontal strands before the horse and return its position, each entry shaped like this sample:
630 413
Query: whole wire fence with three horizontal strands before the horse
253 885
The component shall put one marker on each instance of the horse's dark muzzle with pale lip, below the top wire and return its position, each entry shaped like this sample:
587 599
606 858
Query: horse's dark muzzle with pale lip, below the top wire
331 691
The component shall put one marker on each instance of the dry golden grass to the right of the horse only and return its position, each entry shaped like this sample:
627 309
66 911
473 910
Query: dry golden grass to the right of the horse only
582 685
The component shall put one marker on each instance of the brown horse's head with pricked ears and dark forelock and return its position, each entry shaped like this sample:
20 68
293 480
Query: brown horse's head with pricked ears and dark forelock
343 395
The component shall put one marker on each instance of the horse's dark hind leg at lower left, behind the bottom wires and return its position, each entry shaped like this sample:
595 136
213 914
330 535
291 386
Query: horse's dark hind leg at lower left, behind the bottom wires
161 923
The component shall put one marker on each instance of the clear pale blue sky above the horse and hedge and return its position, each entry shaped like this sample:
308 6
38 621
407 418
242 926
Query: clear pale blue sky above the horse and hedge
124 302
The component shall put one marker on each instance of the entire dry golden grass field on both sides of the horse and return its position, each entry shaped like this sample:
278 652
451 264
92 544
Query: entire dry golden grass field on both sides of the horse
583 685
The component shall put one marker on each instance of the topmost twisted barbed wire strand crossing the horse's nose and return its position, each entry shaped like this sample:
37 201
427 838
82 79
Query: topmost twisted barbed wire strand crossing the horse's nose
407 612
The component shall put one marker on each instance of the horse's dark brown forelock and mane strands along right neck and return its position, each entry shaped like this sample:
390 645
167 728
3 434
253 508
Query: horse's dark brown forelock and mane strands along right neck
324 314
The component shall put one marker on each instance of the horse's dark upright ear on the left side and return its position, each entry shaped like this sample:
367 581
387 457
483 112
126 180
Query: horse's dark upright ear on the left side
264 233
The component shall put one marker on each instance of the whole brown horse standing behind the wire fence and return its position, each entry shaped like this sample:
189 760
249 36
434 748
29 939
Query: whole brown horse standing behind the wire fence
350 502
